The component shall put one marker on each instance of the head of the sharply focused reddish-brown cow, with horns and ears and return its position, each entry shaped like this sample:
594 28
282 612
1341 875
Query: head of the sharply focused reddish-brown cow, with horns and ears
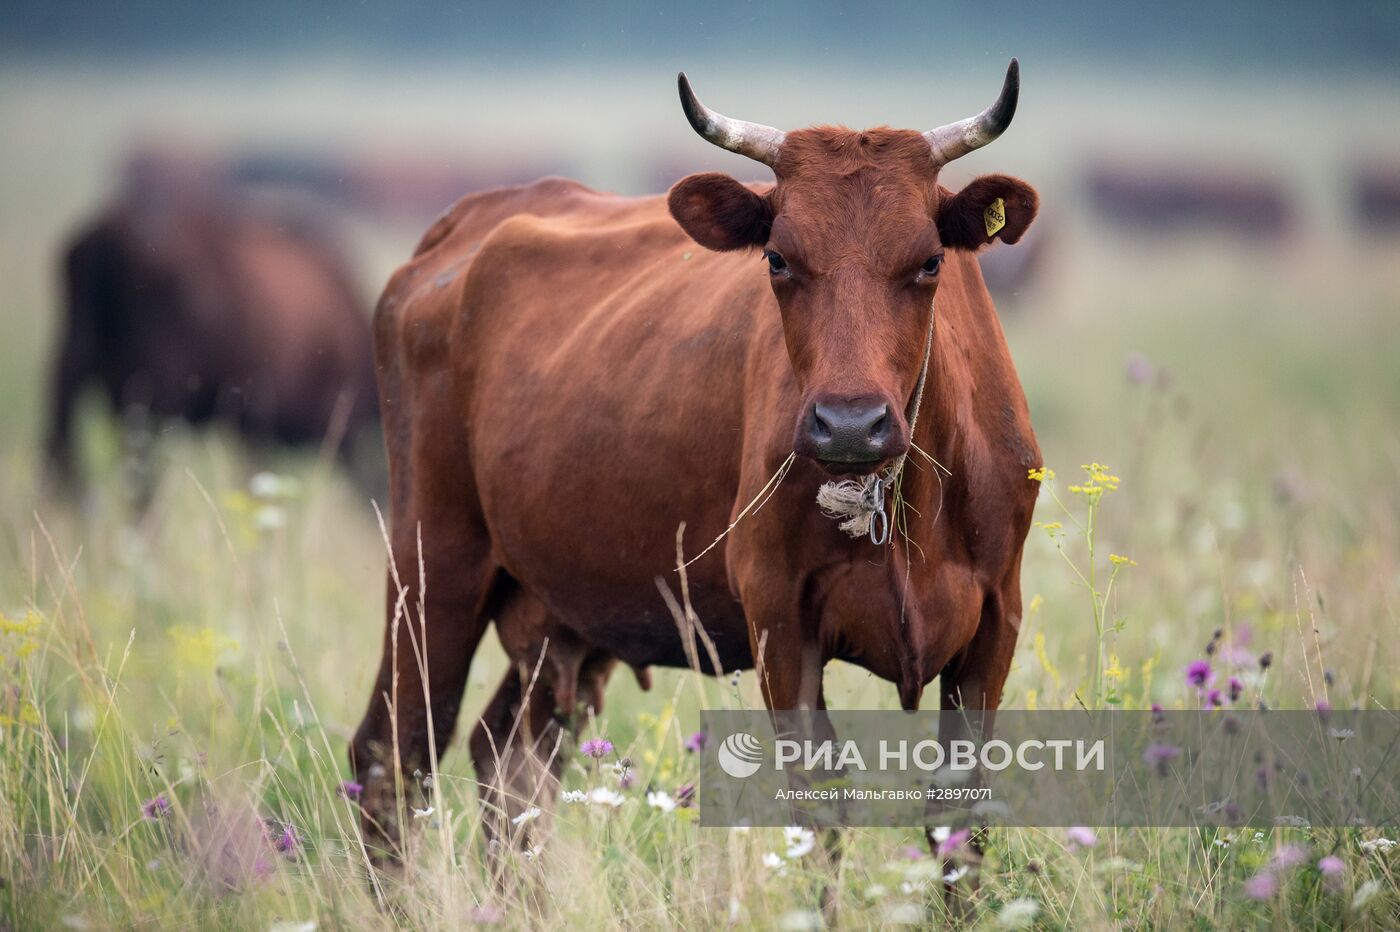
853 240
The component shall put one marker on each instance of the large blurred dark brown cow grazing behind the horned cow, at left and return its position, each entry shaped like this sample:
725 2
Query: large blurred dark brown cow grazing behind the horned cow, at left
187 299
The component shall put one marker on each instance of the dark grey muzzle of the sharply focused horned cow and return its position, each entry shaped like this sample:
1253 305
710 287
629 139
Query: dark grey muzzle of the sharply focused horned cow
850 436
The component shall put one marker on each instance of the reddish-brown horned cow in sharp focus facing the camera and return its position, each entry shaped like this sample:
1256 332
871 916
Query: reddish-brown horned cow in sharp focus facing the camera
566 377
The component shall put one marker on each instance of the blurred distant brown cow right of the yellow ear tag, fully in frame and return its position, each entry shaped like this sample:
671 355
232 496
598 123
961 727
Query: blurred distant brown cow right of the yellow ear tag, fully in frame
1170 199
